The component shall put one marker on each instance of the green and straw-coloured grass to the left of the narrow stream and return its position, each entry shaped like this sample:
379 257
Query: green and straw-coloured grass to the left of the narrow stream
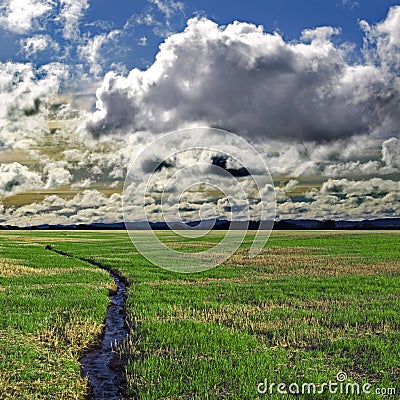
51 309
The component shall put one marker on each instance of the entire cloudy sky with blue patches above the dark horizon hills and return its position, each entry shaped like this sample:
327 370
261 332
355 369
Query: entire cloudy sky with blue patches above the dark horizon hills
88 86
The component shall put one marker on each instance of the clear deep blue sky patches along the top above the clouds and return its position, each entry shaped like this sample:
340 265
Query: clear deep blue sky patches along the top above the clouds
289 17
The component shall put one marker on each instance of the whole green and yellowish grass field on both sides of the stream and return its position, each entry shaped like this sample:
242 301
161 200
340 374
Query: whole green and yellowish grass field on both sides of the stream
310 305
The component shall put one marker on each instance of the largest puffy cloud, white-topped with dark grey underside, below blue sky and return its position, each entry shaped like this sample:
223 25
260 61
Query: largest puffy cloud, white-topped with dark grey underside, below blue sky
240 78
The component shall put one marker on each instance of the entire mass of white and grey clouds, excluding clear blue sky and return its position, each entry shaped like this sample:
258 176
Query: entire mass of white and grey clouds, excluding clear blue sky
327 126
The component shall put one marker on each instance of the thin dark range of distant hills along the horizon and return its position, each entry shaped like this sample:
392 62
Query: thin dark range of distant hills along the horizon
285 224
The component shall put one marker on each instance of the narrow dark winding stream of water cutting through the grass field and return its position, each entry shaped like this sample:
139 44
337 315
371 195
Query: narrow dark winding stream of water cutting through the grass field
103 366
